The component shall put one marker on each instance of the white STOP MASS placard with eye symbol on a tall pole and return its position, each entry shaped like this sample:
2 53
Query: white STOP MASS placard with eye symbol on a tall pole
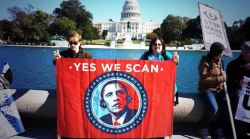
213 29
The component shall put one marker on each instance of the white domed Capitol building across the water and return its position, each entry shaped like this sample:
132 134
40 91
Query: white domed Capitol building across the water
130 24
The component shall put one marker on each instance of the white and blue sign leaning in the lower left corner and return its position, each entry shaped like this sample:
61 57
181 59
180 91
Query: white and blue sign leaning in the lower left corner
10 121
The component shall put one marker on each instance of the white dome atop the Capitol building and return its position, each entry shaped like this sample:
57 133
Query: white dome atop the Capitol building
131 11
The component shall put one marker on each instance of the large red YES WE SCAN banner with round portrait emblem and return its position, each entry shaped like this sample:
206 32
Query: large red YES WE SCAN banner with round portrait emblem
115 98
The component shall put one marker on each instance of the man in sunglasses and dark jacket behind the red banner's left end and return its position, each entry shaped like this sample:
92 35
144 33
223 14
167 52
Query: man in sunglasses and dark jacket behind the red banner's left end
75 50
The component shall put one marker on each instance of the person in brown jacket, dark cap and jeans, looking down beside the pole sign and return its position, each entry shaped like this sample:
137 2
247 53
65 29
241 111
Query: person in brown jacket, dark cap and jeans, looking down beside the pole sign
211 90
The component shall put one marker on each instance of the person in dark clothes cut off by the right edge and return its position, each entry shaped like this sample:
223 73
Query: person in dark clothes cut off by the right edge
236 70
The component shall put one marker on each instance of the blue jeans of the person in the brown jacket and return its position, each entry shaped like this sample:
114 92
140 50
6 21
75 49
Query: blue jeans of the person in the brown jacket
216 106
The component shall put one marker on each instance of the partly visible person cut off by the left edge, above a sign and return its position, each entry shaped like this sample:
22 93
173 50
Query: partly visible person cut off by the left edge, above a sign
6 75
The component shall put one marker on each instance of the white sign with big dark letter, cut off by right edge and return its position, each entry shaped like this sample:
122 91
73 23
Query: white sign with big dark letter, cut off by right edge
243 109
